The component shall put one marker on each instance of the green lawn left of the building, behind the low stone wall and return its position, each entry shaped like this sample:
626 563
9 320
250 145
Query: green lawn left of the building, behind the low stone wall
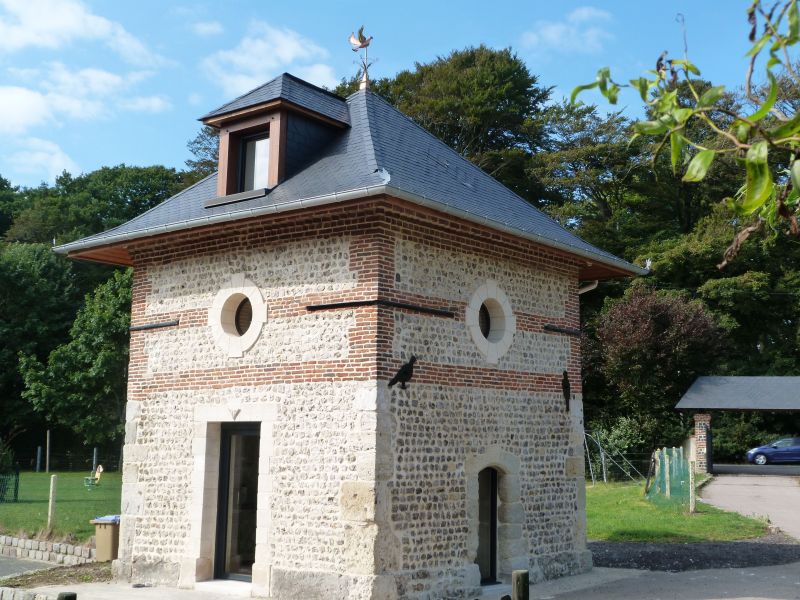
75 505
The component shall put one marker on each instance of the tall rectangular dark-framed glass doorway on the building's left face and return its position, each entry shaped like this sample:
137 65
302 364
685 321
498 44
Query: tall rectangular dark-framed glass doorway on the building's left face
237 503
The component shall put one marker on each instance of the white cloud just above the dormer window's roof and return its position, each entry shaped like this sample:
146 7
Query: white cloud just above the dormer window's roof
265 52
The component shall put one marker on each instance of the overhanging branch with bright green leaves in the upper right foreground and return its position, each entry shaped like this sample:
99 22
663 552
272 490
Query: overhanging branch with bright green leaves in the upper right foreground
766 140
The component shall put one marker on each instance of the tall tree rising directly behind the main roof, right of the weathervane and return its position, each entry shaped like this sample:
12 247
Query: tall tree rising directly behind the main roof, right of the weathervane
483 103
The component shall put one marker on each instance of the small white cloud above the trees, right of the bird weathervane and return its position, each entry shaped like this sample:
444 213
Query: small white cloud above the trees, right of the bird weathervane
581 32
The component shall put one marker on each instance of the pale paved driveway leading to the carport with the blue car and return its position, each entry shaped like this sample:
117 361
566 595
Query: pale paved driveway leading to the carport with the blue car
777 498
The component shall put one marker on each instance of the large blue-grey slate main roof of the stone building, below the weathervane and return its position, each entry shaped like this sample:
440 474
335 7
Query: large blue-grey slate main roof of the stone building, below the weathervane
383 152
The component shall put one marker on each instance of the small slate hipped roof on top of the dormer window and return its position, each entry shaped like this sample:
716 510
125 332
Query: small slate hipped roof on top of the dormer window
290 88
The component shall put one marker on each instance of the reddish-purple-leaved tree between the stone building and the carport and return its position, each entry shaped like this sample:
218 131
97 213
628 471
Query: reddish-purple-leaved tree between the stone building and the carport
648 349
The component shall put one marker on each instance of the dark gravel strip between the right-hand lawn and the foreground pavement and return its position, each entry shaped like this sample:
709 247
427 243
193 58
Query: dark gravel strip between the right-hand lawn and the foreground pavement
772 549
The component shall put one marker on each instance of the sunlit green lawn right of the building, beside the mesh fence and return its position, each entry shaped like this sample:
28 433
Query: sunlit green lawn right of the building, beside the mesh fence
618 512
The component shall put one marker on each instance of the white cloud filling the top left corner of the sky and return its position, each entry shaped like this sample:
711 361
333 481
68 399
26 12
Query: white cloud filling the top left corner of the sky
55 23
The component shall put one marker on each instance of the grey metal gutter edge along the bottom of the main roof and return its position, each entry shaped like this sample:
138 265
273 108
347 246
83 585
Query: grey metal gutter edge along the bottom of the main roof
624 268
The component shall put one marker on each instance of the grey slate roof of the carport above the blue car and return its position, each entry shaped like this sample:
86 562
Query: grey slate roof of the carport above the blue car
743 393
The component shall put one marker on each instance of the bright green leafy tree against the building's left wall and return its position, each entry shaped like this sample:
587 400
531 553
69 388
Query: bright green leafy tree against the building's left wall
82 385
